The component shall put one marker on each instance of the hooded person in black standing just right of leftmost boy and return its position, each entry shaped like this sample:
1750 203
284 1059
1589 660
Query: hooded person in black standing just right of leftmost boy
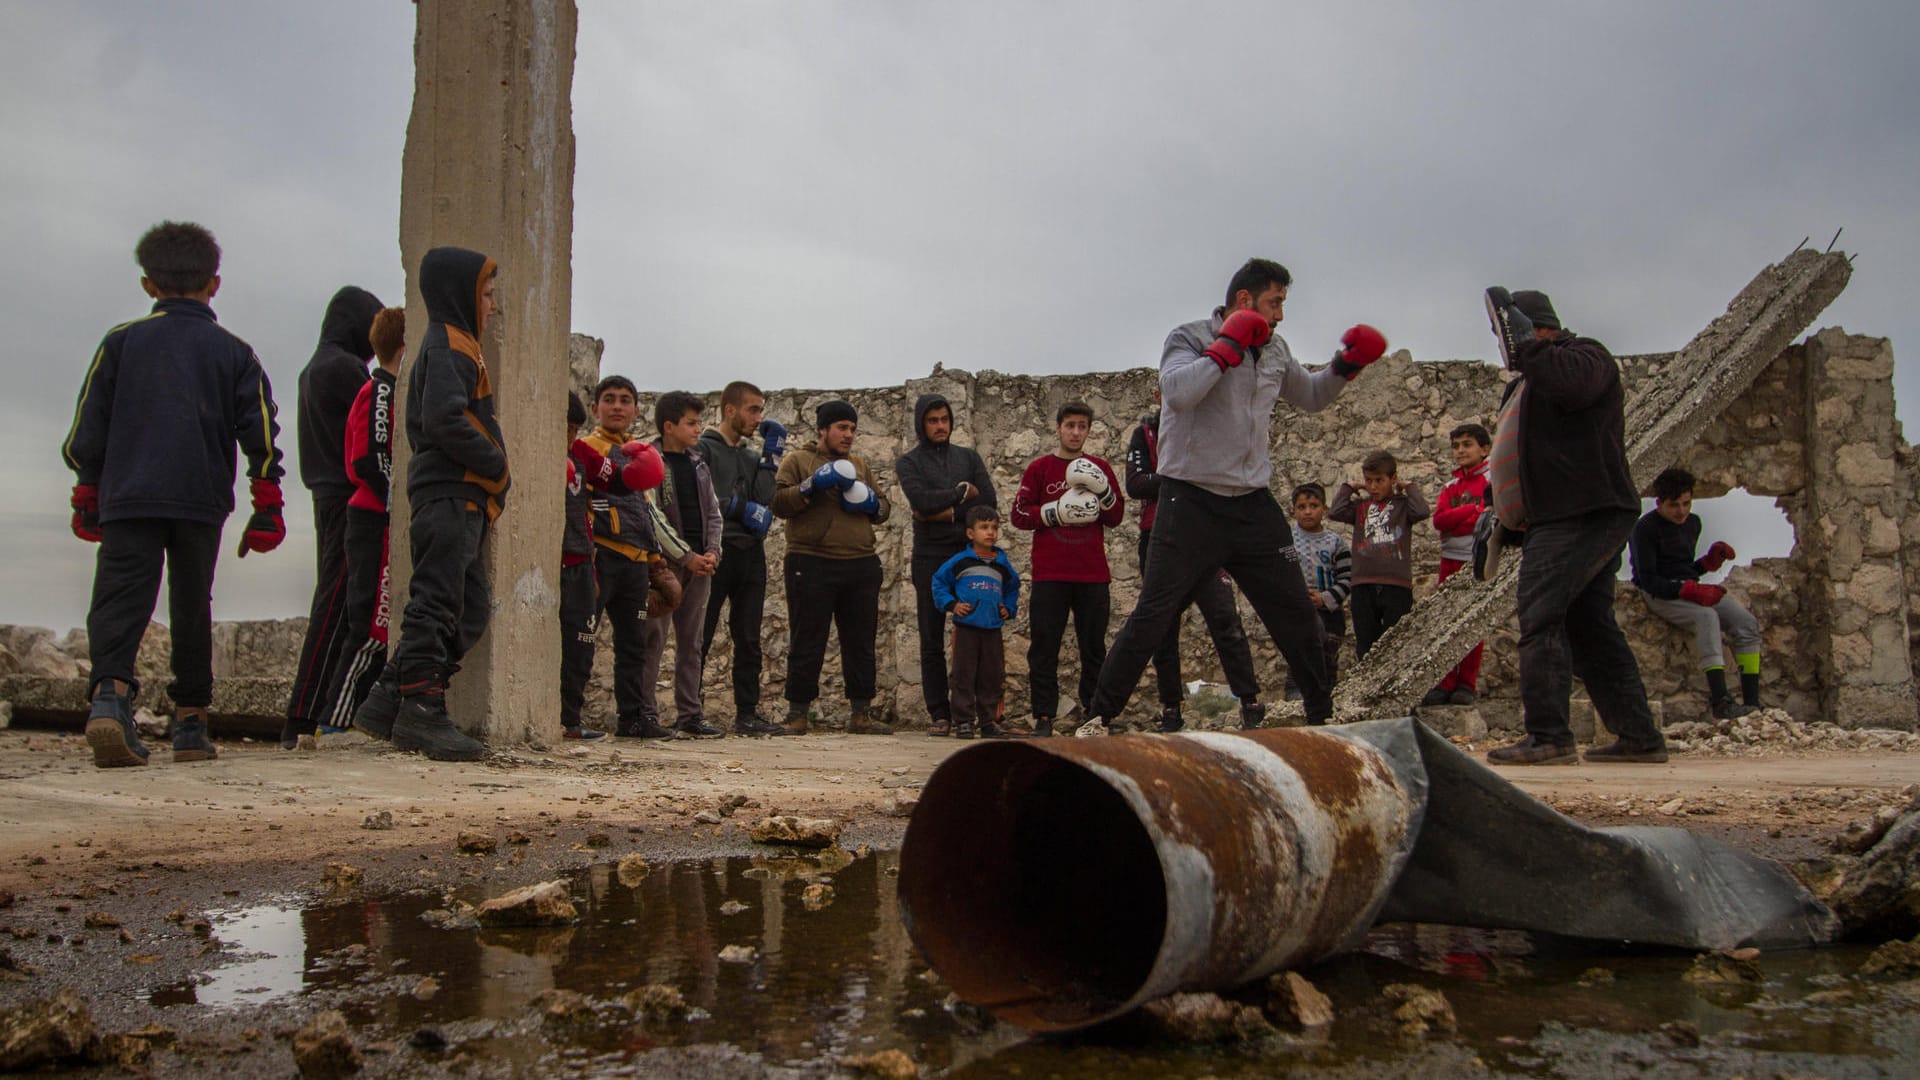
327 391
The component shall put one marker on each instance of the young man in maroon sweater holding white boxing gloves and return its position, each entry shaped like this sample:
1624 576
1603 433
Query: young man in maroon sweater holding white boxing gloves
1068 501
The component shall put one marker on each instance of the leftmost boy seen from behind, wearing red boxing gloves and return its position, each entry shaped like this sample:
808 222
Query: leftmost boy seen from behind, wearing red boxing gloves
153 449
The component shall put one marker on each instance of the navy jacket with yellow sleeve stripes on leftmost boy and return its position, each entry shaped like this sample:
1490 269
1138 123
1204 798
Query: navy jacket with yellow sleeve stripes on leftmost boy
162 406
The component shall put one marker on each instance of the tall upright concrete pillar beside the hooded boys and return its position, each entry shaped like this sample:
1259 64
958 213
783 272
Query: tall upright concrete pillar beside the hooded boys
491 166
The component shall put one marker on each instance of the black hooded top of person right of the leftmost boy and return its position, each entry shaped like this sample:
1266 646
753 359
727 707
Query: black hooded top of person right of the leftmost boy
329 385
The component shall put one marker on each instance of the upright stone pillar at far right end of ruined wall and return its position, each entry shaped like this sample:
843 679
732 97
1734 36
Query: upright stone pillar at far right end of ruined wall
1854 506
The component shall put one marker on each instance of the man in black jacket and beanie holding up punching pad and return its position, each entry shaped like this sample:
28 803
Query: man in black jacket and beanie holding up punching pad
1560 474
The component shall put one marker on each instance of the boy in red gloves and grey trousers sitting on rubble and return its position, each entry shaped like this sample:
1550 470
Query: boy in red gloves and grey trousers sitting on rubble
1668 576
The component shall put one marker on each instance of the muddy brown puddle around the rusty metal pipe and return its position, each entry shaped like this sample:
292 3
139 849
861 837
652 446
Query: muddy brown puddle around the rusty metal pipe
815 977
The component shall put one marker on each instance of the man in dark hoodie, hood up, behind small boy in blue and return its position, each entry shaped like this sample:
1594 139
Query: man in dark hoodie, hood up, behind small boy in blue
942 483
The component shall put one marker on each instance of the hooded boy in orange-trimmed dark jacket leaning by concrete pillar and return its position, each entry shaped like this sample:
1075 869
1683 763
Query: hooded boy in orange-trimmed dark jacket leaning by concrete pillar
456 485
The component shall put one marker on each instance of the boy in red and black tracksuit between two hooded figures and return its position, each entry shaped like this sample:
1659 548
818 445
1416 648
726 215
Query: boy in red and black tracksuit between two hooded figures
370 456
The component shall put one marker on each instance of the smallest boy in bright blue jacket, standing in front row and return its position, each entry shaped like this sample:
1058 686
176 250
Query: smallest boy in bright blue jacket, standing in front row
980 589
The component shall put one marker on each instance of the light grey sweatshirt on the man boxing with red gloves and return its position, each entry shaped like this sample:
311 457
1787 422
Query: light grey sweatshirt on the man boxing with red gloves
1216 426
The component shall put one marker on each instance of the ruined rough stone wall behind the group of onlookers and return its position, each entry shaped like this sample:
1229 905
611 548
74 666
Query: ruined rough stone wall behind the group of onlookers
1838 631
